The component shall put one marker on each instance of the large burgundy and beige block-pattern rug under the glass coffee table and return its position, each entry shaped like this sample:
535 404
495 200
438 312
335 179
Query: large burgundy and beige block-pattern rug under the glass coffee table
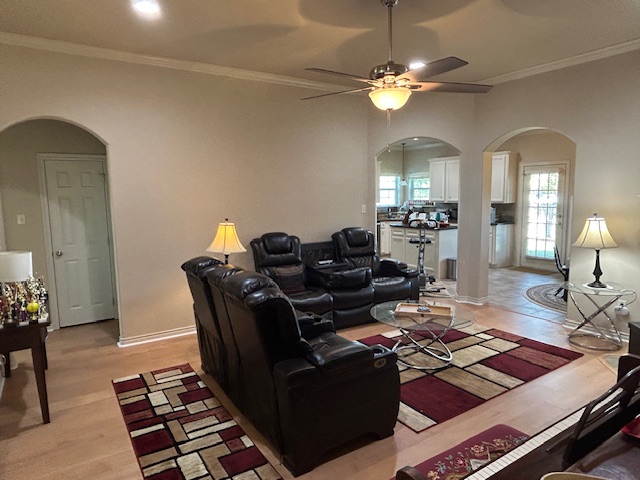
486 363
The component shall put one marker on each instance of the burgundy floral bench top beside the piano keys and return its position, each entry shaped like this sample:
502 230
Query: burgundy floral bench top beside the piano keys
470 455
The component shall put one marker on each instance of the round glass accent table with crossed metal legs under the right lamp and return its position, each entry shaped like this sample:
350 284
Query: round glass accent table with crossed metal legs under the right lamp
595 338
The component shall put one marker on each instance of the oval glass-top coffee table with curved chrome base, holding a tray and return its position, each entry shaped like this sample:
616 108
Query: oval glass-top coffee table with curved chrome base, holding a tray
421 332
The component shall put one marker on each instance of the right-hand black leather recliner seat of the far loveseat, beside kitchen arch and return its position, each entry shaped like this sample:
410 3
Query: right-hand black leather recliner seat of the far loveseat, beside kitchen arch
392 280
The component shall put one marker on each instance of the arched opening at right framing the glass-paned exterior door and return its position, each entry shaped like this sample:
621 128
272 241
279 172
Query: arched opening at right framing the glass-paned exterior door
538 216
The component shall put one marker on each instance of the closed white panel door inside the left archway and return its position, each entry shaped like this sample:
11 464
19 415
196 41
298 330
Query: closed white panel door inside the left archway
80 241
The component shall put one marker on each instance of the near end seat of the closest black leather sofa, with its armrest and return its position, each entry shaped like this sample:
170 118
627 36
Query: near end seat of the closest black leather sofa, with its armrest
307 396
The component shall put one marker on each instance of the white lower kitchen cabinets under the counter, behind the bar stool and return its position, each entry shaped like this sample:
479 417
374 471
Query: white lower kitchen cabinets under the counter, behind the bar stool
444 245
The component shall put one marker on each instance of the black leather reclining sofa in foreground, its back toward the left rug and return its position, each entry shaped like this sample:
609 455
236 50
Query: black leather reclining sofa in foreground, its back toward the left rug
305 388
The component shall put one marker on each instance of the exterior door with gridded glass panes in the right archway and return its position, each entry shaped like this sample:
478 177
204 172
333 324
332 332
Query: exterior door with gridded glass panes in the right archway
543 213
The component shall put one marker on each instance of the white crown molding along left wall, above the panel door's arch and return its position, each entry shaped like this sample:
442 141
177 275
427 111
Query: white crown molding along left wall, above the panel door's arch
69 48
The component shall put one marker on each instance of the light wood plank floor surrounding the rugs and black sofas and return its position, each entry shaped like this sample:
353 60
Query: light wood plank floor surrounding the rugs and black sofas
87 438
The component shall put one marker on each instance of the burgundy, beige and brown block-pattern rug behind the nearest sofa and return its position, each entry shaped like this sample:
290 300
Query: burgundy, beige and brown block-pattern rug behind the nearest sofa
180 431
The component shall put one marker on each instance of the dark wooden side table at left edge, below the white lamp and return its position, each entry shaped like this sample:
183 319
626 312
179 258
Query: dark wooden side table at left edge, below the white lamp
29 335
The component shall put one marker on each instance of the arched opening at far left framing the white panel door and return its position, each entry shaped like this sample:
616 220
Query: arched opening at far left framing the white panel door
28 152
